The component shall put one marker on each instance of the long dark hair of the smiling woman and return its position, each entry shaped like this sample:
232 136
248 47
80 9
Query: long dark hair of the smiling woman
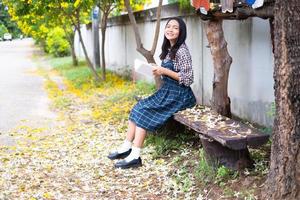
166 46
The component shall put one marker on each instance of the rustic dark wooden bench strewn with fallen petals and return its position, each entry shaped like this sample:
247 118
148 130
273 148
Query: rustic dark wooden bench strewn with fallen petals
225 141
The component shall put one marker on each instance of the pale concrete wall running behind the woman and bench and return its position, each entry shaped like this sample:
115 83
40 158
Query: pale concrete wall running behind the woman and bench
249 44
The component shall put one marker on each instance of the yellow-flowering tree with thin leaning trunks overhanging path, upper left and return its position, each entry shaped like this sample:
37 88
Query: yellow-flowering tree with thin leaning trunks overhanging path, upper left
37 17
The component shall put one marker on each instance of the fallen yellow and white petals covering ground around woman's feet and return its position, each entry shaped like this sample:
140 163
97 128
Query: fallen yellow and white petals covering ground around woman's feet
68 160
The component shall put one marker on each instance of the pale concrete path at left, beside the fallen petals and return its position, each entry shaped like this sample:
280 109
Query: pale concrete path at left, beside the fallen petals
21 91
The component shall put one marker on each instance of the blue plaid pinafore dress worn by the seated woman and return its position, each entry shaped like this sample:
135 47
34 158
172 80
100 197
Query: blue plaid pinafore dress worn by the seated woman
152 112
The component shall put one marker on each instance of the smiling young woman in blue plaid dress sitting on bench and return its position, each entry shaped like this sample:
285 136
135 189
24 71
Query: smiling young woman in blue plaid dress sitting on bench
175 94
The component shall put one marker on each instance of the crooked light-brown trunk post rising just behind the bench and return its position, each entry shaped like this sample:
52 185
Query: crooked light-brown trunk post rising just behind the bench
222 61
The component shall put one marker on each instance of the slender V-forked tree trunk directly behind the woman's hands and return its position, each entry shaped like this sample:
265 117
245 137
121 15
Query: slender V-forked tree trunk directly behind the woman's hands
149 55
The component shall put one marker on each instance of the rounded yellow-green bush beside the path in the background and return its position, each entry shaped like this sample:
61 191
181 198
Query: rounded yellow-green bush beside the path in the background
56 43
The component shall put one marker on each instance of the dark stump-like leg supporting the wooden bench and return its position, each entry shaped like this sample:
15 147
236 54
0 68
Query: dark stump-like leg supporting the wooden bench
217 154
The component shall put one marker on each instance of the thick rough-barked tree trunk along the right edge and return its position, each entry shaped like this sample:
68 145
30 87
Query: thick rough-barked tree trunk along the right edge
284 176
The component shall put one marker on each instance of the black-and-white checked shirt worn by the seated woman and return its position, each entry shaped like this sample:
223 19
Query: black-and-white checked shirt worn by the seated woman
183 65
